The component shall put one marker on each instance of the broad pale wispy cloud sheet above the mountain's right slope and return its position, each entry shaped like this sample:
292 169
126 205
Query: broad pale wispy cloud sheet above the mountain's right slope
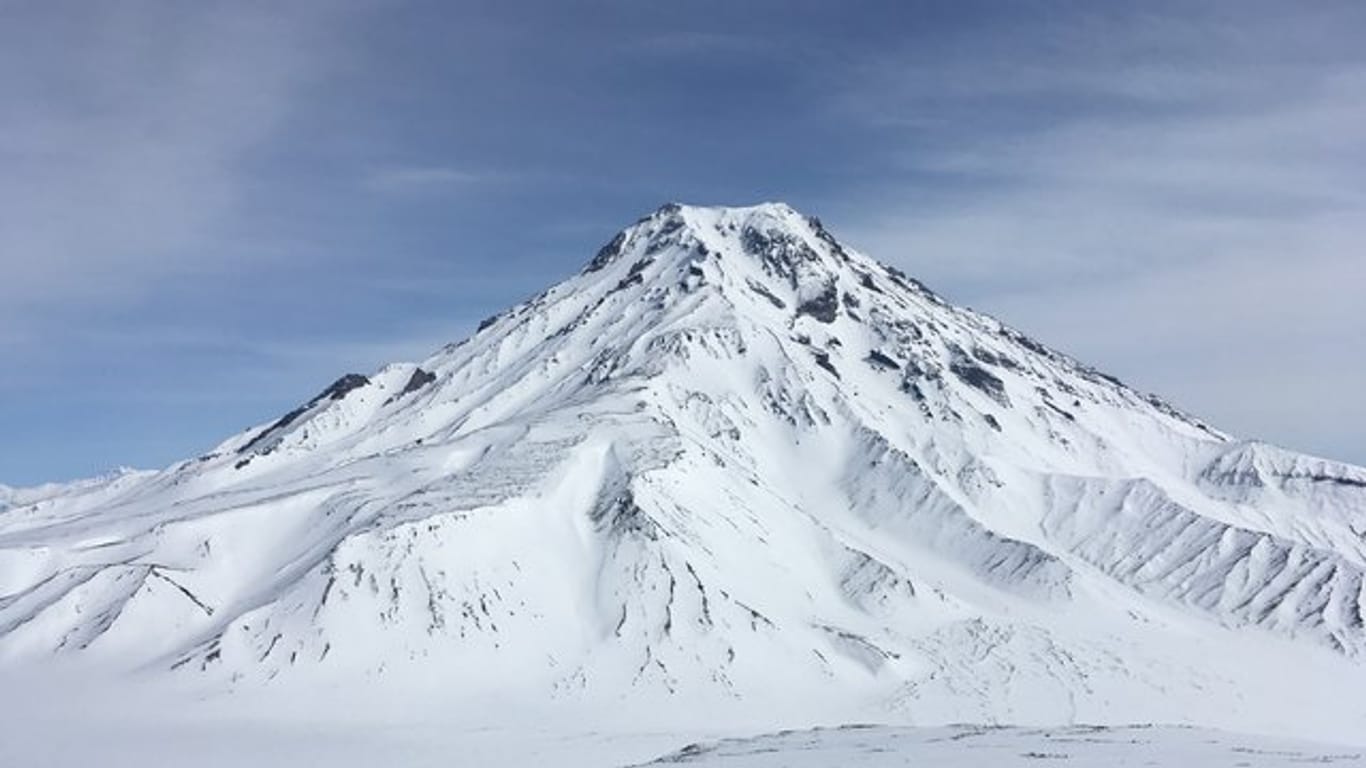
1185 206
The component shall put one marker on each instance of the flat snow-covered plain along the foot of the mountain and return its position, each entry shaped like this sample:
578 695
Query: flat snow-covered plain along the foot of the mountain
81 725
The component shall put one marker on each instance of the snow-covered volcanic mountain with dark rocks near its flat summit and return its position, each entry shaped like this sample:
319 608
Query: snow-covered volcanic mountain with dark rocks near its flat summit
731 463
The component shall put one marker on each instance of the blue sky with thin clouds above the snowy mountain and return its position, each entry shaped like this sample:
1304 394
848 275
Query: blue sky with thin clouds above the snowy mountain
210 211
